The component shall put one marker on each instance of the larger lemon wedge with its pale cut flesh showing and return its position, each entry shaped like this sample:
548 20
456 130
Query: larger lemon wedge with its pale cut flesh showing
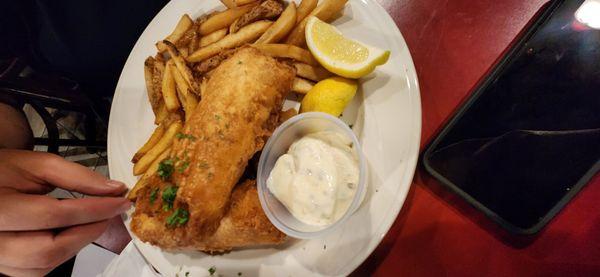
340 55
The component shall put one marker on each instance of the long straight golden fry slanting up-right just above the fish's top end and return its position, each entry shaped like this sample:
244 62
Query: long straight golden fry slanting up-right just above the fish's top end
245 35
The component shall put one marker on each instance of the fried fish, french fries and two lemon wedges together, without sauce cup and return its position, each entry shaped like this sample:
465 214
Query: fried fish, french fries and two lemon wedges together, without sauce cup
216 87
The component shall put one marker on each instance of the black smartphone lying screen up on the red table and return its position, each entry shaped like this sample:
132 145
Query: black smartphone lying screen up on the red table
528 138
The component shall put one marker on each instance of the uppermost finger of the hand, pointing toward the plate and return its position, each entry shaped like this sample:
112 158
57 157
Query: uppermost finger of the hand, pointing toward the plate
56 171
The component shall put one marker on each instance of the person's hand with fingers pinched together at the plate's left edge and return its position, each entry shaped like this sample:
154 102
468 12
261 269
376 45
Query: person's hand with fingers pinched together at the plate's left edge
38 232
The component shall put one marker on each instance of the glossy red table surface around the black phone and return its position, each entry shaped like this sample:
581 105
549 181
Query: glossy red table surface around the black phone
453 44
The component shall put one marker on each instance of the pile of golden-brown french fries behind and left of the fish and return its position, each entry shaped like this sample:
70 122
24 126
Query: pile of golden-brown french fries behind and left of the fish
176 75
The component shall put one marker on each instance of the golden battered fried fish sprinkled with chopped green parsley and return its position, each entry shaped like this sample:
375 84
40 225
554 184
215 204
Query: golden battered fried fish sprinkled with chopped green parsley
238 111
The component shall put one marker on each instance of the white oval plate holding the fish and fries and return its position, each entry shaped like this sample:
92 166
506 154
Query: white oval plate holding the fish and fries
386 117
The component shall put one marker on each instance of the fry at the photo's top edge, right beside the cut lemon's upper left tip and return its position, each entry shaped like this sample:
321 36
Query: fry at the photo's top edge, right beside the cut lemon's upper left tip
325 12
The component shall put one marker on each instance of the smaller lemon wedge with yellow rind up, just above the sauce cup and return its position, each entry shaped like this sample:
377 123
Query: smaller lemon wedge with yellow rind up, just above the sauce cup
330 96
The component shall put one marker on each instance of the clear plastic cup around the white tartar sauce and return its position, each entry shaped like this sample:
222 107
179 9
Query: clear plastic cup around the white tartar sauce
286 134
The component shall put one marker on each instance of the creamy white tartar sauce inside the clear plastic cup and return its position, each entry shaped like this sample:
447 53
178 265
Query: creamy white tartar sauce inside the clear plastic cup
317 179
